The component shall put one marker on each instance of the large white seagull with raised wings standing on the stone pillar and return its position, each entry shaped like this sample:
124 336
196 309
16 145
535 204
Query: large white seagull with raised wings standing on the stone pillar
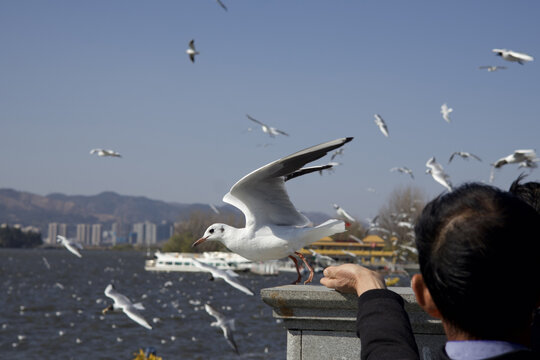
274 228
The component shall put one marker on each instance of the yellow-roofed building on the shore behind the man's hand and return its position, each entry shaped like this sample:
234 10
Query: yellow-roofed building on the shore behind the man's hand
370 251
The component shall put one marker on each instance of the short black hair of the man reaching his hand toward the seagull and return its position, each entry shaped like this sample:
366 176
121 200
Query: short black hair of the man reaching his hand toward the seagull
479 254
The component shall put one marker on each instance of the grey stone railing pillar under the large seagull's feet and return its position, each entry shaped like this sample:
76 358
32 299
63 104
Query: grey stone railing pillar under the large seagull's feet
321 323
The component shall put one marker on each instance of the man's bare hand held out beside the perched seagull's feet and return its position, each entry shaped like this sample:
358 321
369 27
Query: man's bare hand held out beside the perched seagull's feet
352 278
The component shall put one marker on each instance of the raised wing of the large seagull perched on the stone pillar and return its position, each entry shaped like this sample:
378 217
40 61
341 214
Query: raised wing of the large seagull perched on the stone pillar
261 195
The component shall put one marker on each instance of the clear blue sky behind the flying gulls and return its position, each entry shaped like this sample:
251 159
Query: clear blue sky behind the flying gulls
77 75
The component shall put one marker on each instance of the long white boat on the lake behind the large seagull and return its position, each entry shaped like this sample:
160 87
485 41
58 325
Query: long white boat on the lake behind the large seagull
183 261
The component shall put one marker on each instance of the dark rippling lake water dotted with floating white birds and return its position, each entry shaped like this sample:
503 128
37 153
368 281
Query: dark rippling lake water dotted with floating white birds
55 312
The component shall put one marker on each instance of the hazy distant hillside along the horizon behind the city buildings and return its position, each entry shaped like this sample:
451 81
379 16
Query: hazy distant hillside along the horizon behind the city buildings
17 207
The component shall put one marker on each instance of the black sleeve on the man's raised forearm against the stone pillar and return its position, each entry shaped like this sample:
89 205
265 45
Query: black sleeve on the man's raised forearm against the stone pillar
383 327
